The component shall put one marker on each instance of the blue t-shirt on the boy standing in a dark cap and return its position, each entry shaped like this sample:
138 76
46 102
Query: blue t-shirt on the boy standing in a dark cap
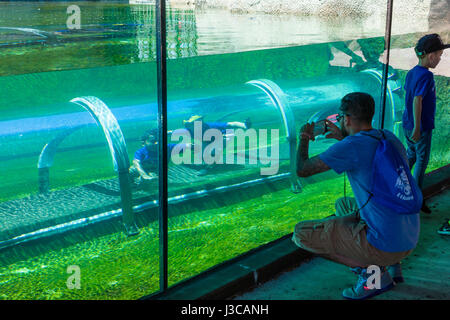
420 82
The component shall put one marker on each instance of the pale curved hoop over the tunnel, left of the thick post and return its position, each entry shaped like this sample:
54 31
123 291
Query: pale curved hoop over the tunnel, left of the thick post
118 149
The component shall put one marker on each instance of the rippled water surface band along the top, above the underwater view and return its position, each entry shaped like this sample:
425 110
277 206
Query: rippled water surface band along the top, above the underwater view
117 33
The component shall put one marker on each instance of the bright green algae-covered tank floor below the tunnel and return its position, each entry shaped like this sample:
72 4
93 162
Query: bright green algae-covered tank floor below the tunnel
117 267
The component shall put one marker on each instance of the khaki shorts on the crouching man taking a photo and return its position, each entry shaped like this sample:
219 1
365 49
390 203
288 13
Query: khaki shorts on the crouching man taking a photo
342 238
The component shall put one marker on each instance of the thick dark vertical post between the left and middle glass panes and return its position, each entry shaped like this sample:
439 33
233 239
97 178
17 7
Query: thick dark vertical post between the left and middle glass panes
161 54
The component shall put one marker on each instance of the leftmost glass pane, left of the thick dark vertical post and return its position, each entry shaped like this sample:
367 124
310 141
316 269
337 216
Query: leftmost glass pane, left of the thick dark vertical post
65 164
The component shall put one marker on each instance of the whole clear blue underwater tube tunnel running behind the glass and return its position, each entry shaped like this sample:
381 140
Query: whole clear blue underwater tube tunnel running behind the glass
275 109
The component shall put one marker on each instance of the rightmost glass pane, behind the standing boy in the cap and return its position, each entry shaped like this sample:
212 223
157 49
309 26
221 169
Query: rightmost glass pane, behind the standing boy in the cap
409 25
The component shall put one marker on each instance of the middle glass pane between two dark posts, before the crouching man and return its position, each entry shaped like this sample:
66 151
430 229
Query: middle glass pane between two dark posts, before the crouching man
268 74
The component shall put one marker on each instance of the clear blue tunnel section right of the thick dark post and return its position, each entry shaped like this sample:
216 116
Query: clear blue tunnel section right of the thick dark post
285 106
